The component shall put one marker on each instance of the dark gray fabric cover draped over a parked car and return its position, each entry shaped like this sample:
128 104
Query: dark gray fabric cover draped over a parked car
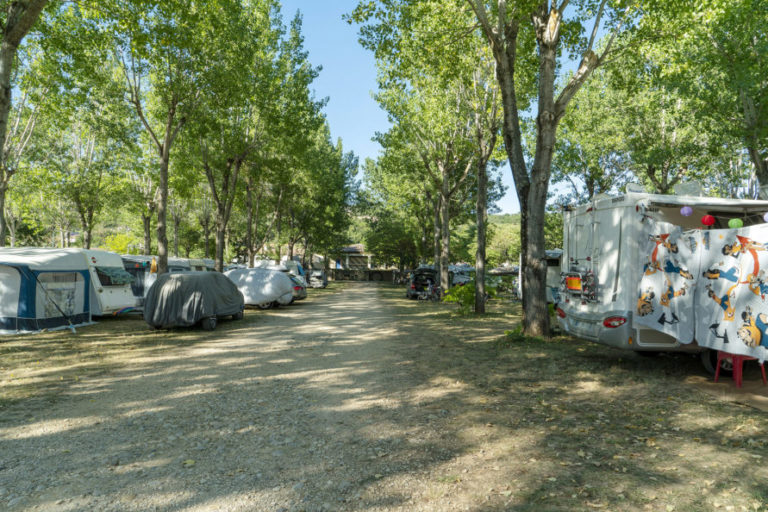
185 299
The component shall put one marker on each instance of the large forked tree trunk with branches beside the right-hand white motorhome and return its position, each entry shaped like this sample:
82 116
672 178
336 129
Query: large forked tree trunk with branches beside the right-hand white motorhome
510 30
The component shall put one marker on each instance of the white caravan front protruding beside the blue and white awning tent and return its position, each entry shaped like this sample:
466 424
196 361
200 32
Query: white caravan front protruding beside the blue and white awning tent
110 283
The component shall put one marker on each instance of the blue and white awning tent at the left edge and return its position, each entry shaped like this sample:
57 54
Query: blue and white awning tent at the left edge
43 289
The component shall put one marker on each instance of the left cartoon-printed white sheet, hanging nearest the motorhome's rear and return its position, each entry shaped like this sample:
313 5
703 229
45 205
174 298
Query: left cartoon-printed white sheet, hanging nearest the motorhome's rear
665 299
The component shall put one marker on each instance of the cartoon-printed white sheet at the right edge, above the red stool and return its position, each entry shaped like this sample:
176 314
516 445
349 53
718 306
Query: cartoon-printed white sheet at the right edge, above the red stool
732 312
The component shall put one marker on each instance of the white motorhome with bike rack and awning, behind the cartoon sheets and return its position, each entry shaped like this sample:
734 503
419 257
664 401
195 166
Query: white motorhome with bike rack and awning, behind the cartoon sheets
602 268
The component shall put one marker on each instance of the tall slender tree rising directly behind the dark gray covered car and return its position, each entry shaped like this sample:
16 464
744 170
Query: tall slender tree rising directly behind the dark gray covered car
168 61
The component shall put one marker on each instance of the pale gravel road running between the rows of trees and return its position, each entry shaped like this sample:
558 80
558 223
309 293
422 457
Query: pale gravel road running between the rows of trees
308 408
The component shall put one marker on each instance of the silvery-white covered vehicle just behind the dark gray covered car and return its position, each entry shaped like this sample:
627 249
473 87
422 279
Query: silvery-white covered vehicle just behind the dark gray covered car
262 287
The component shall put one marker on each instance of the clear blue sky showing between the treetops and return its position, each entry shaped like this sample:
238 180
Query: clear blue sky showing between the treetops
348 79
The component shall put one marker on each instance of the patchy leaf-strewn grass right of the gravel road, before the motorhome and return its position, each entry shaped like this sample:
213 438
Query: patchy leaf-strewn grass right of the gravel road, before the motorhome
565 424
